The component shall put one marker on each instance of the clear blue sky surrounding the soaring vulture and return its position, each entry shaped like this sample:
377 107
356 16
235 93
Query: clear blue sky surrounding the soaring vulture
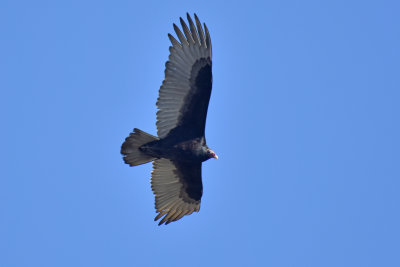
304 116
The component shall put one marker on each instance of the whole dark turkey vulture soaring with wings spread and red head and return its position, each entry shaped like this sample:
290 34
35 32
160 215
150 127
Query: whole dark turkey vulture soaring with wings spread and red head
180 148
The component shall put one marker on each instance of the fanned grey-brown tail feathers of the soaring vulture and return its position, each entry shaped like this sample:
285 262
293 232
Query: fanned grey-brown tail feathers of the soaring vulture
130 148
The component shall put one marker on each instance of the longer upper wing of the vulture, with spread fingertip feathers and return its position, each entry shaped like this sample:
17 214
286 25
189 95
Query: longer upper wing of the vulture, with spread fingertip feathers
185 92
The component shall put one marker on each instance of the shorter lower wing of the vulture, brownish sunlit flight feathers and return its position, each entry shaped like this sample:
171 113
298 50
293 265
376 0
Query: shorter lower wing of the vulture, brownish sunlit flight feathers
177 188
